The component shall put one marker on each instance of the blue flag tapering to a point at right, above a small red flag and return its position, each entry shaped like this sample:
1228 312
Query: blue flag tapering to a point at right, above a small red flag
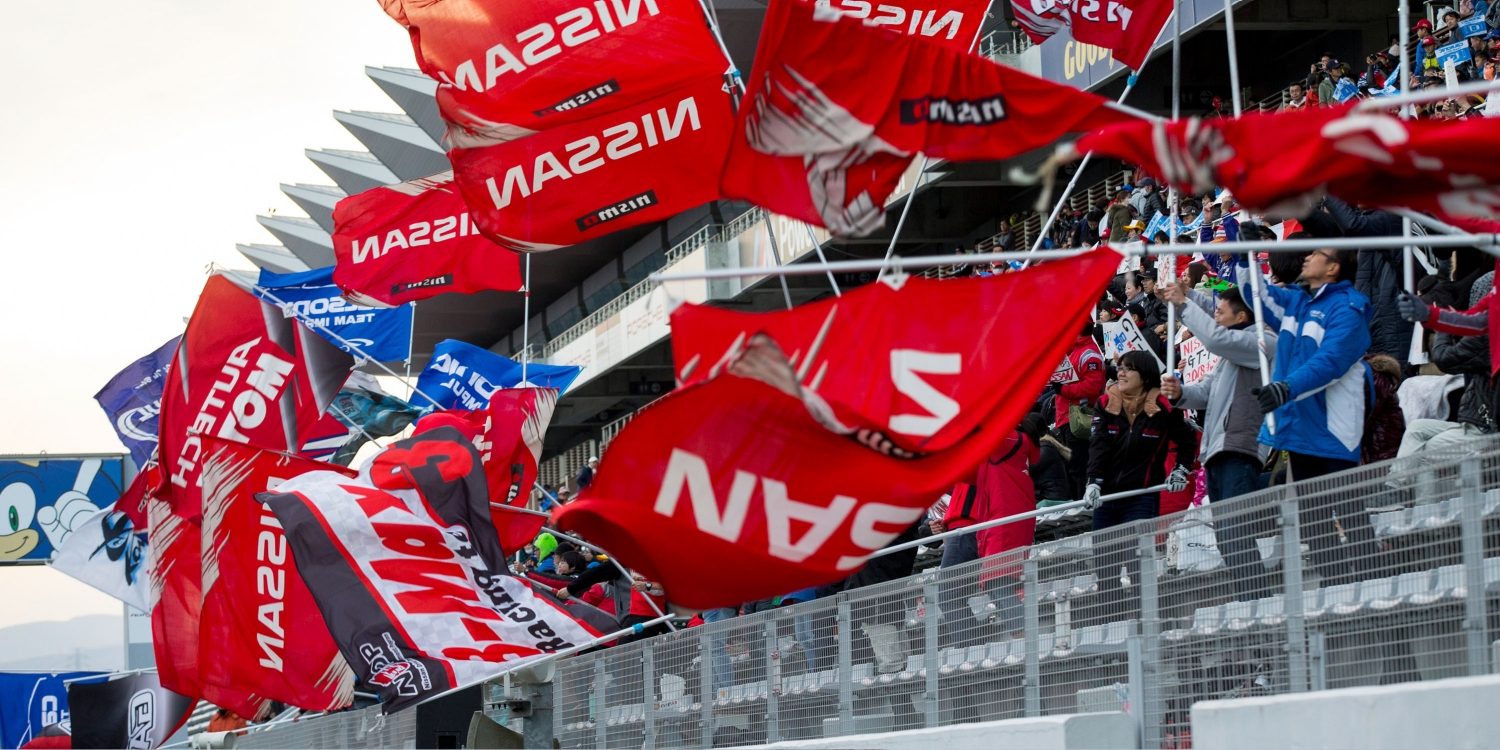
464 377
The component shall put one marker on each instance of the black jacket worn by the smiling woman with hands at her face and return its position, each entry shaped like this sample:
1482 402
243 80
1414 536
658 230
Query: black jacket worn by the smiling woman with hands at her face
1129 455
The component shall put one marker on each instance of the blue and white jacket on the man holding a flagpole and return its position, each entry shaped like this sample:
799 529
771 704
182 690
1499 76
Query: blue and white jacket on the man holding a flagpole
1321 352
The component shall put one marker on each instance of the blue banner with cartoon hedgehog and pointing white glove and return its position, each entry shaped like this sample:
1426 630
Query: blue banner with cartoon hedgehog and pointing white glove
44 500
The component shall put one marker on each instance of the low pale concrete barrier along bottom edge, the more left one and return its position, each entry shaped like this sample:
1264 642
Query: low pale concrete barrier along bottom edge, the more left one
1051 733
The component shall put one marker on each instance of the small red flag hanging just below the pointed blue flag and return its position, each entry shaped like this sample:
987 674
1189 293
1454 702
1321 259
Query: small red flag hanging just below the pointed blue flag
508 436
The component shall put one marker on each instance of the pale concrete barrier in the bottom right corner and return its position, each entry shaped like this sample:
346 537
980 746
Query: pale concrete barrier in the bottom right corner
1457 713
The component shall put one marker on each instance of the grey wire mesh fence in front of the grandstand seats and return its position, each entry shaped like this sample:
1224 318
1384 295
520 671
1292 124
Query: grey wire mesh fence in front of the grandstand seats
1381 575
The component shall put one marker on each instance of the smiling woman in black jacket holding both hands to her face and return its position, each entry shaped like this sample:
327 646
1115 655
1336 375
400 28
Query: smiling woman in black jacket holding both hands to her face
1133 431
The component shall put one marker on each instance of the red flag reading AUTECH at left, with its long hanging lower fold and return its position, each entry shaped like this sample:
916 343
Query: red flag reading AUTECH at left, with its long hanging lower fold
247 373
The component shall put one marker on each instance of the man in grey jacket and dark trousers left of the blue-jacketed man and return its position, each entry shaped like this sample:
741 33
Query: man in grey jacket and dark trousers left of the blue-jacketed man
1231 452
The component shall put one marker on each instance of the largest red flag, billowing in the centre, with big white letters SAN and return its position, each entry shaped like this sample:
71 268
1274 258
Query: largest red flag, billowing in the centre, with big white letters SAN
739 469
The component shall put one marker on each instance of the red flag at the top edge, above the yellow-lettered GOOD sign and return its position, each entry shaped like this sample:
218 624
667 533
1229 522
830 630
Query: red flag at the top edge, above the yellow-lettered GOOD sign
1127 28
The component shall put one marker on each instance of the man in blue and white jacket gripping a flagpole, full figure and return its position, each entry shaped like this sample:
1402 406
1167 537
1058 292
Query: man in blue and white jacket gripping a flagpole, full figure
1318 398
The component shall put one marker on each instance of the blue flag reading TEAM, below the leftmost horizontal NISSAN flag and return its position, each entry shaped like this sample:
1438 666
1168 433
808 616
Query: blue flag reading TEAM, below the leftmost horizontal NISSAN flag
380 334
